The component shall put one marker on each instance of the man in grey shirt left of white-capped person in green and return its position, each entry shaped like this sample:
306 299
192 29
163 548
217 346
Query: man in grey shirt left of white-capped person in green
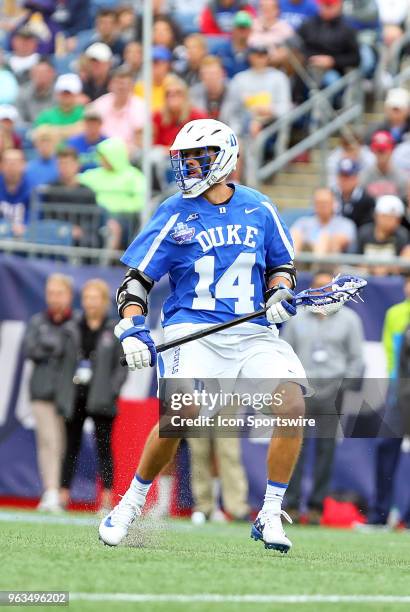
37 94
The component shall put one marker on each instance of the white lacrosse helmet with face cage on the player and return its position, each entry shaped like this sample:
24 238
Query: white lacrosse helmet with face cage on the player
203 133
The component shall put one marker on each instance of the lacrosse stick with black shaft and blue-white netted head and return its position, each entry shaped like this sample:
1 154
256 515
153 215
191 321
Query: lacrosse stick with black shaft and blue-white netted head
324 300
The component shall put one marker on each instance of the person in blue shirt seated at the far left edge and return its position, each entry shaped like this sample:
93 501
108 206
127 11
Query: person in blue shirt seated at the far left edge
14 191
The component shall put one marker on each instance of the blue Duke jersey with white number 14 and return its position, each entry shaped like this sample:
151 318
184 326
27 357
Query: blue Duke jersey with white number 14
215 255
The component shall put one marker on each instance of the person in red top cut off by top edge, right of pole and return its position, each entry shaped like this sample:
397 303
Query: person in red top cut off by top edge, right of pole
218 16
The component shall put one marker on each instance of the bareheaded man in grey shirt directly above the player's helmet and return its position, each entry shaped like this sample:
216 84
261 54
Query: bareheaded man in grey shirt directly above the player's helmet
210 93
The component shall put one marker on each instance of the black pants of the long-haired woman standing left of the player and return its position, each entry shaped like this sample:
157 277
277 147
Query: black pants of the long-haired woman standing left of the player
74 430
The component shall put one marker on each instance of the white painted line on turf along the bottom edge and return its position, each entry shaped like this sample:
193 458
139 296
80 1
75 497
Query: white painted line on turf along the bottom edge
213 598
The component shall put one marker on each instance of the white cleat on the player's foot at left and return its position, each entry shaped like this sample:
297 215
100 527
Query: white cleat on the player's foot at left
114 527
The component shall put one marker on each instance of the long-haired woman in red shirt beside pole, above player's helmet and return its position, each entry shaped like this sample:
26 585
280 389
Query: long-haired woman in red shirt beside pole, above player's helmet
177 111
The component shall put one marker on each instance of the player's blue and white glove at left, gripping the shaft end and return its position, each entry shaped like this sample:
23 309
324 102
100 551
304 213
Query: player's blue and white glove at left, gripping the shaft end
138 346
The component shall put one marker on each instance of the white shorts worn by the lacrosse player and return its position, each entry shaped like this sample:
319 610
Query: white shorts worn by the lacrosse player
248 351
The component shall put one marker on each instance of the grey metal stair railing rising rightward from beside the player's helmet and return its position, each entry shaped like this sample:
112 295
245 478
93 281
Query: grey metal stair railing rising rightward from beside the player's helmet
322 125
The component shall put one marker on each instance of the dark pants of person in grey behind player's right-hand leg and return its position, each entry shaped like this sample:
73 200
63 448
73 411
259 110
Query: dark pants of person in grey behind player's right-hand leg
324 451
